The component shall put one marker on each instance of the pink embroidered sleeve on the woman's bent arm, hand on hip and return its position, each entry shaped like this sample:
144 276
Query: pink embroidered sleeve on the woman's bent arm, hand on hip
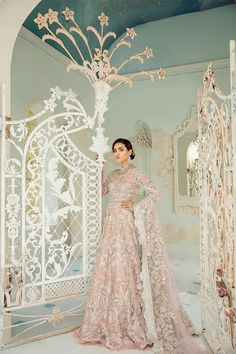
153 193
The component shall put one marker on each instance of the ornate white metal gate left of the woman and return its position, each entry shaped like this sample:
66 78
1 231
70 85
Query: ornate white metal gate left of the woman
50 220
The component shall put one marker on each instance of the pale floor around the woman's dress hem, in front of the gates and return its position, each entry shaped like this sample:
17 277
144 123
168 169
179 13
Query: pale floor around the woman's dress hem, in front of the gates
184 262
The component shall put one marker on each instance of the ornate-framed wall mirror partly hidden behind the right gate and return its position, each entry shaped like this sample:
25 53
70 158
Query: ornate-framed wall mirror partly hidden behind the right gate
186 183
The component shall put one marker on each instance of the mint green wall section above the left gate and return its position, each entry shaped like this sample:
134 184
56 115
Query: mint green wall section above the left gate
34 72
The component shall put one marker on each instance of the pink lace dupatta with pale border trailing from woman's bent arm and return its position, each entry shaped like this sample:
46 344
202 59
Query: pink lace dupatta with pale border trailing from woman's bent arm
168 325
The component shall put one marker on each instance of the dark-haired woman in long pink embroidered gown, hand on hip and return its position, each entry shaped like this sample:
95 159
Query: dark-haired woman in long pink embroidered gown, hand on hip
132 302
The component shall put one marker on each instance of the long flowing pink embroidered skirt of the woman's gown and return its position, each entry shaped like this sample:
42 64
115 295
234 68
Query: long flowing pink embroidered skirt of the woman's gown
114 315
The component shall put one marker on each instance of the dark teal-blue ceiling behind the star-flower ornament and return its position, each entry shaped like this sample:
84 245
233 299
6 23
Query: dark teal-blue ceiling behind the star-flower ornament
122 13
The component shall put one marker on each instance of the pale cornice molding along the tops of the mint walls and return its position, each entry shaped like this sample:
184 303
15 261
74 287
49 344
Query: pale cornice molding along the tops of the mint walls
184 69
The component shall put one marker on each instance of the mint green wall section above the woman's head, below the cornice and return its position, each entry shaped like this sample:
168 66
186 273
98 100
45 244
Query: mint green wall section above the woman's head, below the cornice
161 104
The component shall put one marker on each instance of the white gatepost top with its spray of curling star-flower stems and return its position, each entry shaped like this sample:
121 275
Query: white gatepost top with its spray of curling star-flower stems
95 63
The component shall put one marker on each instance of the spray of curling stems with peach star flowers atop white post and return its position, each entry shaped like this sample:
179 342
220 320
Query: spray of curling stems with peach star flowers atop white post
97 65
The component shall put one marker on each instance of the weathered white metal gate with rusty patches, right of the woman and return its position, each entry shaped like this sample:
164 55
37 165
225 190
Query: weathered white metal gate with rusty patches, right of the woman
217 141
